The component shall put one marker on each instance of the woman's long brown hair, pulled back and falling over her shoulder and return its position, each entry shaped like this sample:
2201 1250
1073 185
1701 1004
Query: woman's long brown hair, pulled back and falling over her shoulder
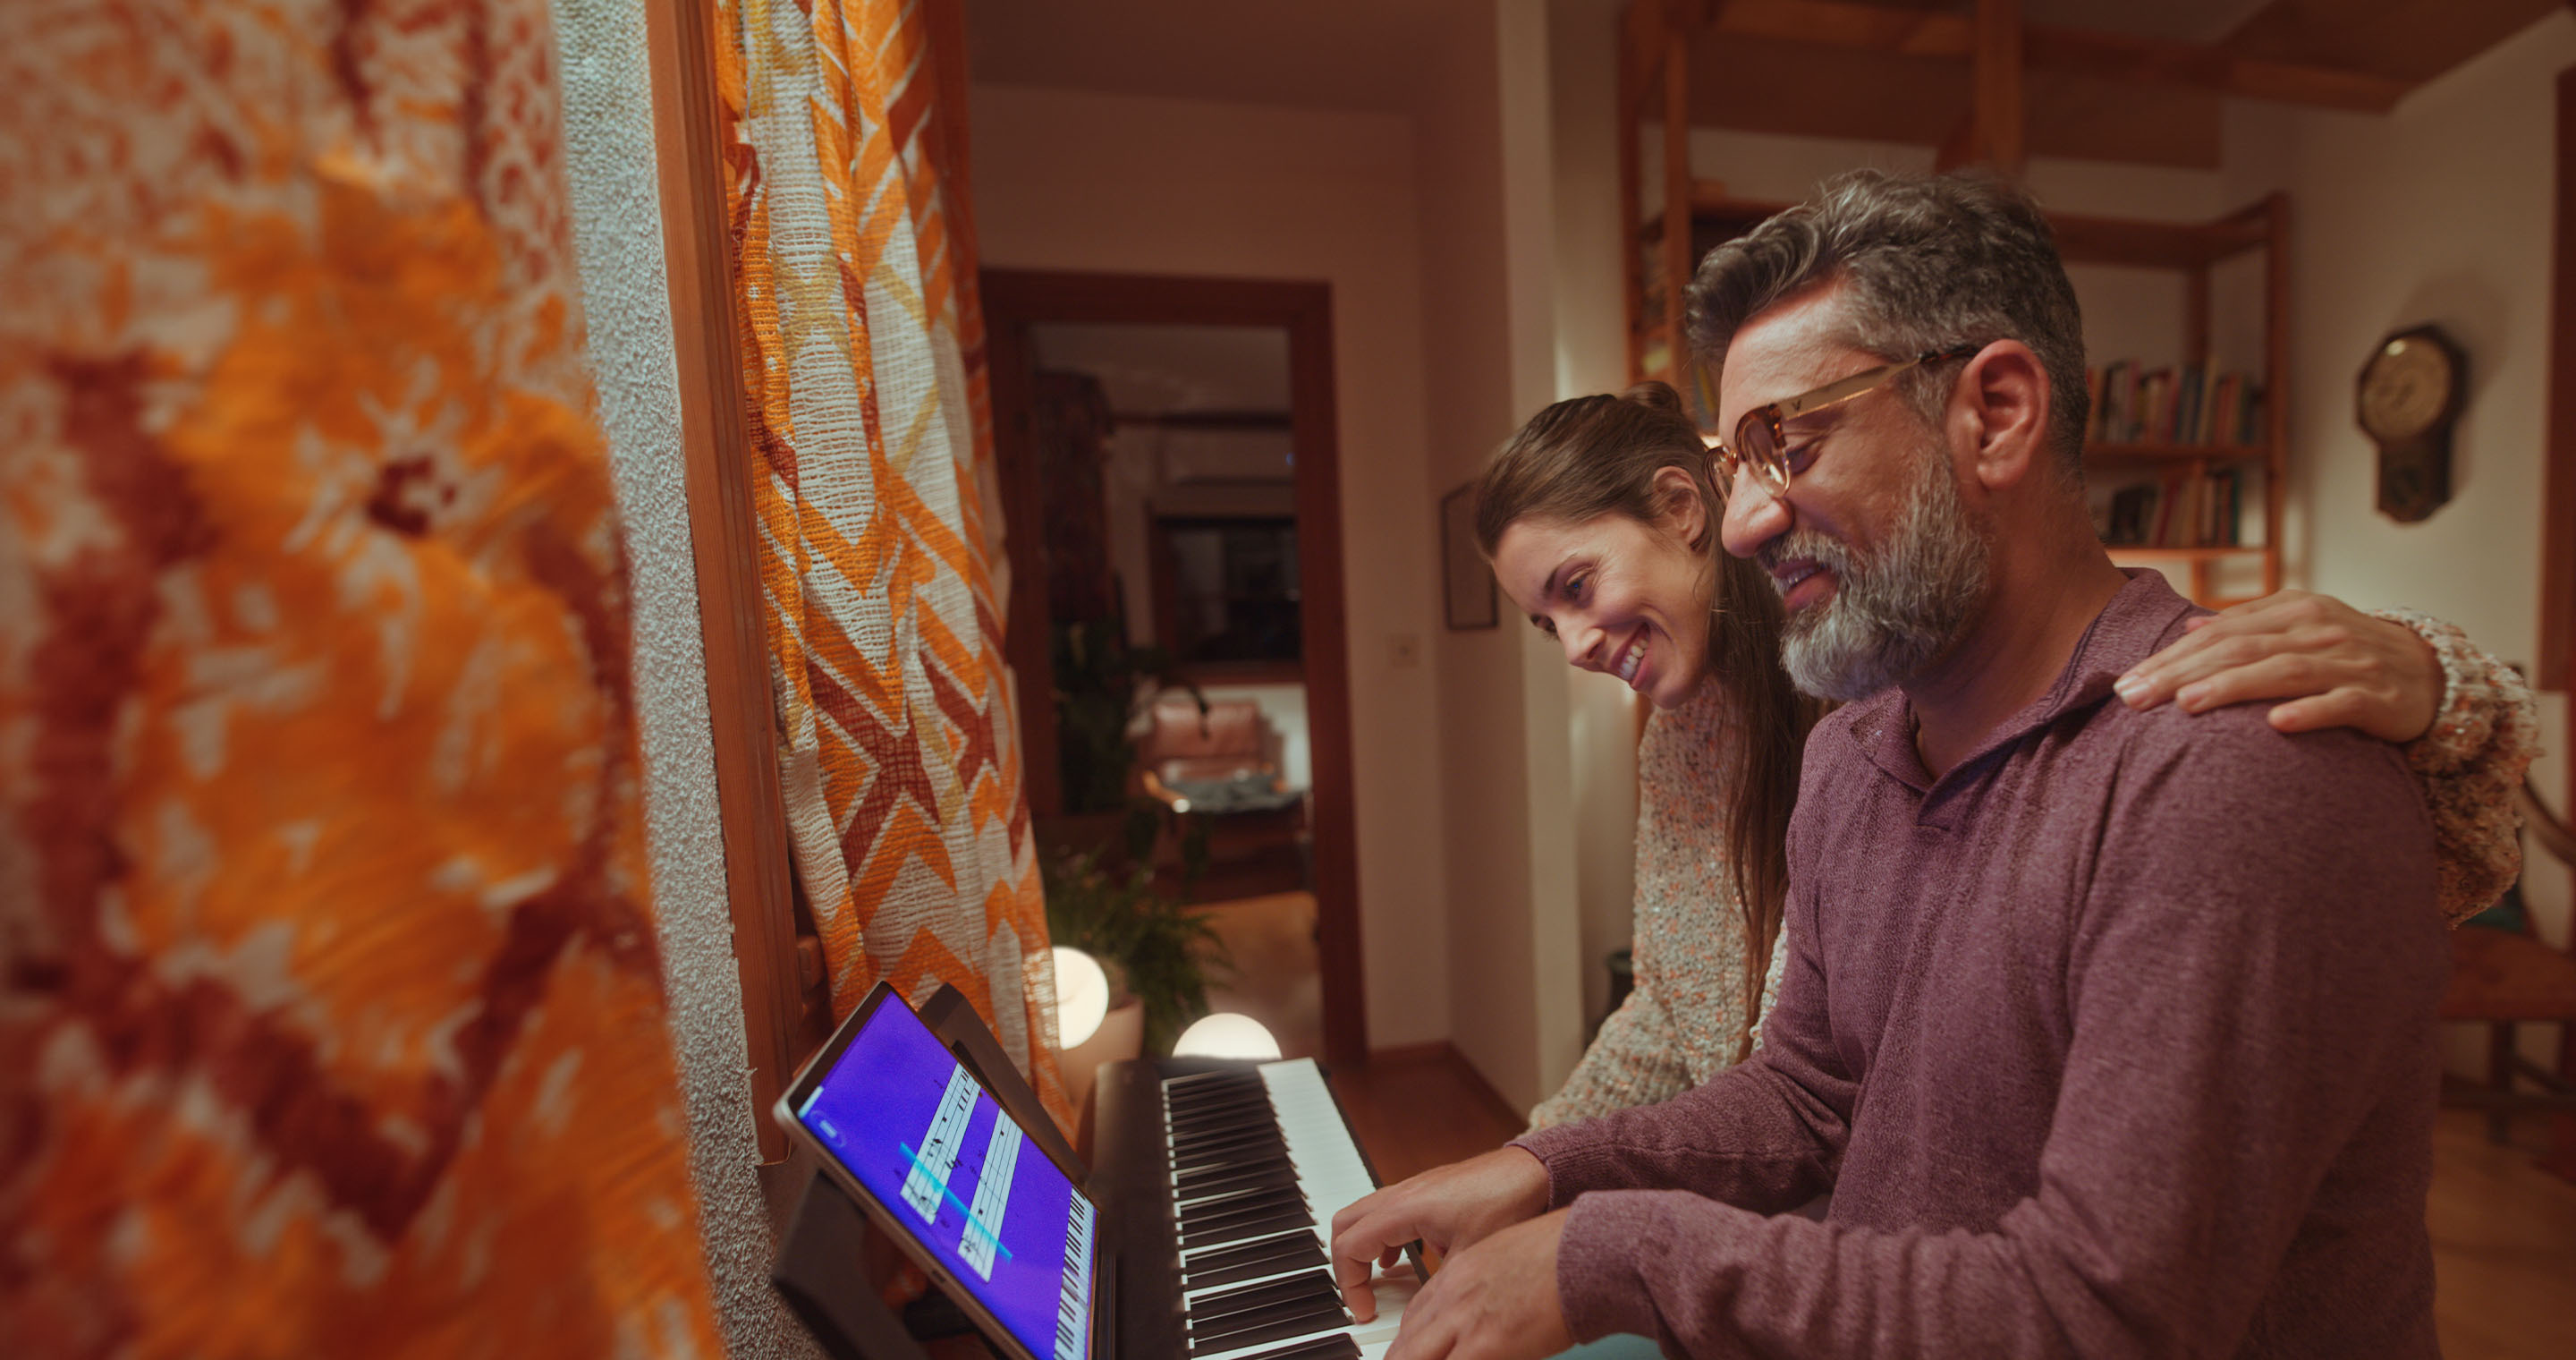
1601 457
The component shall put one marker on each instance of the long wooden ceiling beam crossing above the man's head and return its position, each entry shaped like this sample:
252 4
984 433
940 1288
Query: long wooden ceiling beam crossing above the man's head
2072 50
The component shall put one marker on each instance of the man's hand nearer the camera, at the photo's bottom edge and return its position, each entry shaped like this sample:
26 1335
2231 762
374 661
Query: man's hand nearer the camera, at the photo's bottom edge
1493 1302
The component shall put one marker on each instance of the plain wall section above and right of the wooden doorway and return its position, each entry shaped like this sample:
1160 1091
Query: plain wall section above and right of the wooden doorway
1081 182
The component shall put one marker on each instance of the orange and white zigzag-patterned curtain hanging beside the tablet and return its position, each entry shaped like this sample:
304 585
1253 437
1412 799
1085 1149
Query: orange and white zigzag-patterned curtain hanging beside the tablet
869 408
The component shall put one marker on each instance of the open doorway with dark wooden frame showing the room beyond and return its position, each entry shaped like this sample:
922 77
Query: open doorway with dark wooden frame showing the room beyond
1171 478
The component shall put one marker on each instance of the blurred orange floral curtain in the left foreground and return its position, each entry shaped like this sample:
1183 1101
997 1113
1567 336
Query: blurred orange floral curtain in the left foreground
331 1019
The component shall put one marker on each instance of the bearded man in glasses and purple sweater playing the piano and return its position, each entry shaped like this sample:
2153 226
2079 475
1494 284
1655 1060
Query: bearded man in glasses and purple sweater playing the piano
2111 1032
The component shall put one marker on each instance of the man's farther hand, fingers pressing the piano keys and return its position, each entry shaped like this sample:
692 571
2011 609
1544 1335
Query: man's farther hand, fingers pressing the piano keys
1446 1207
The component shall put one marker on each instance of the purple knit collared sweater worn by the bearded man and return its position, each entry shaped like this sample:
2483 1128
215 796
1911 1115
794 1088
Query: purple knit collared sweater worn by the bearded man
2111 1042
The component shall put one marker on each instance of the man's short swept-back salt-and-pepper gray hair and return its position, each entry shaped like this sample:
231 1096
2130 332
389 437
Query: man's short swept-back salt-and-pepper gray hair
1933 261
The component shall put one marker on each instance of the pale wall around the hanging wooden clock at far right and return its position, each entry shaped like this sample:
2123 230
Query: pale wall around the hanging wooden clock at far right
2438 212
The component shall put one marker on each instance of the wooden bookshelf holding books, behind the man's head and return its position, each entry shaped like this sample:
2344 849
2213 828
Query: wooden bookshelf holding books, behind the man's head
2209 568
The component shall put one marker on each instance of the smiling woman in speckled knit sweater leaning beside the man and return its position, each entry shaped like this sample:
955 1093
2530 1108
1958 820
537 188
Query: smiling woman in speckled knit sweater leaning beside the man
1604 514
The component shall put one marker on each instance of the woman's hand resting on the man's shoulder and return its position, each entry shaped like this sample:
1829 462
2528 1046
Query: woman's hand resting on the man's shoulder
2327 661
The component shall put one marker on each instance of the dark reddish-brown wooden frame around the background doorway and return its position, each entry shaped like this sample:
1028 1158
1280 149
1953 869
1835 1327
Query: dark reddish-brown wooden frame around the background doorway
1016 300
